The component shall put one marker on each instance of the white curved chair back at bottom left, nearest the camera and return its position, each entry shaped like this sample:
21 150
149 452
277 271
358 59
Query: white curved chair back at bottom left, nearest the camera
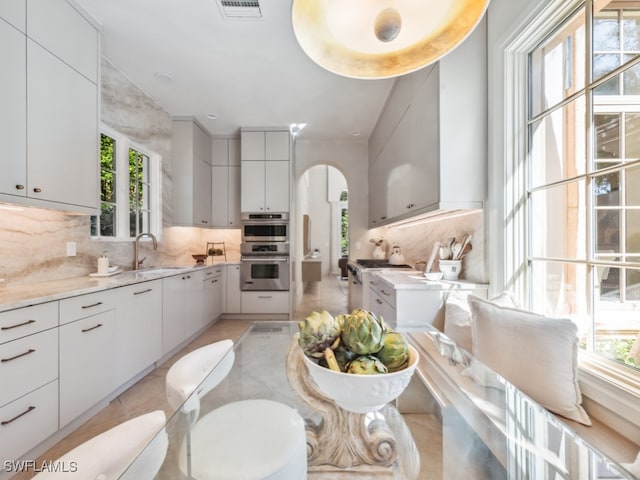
108 455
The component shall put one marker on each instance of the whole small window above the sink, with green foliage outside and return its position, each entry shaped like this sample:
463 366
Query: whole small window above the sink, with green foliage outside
129 196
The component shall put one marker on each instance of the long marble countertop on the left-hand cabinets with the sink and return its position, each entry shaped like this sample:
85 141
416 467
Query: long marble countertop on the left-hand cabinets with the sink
24 295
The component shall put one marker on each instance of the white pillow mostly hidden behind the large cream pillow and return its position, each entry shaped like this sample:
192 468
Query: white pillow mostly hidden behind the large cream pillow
457 317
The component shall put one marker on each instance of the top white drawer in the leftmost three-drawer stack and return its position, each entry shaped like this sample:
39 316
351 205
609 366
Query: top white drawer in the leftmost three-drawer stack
26 321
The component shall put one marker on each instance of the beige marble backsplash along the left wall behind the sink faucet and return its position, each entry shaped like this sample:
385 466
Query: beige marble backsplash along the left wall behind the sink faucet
33 246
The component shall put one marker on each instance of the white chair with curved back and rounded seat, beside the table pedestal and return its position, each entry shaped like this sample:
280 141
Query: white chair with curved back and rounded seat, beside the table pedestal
249 439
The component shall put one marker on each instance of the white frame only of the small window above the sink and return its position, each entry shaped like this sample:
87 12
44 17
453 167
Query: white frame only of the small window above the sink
121 152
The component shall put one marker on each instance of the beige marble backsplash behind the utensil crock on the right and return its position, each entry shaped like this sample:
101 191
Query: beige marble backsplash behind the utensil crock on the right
416 240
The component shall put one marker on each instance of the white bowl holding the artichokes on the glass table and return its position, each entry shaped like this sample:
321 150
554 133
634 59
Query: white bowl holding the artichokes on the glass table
362 393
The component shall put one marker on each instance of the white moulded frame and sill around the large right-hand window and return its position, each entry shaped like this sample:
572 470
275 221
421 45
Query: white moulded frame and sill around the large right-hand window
612 390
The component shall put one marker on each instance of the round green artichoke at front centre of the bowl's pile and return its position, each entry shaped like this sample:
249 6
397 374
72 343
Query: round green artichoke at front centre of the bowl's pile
363 332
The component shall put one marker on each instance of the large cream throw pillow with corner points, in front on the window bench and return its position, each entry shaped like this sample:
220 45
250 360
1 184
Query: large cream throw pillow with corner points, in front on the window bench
537 354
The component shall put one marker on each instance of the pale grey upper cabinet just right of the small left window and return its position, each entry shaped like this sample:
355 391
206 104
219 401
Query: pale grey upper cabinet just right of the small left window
191 174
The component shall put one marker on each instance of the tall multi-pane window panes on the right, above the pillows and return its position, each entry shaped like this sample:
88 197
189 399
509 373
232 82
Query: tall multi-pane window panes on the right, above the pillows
583 199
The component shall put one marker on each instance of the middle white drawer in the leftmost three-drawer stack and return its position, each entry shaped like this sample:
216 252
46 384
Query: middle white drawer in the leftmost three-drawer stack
28 363
